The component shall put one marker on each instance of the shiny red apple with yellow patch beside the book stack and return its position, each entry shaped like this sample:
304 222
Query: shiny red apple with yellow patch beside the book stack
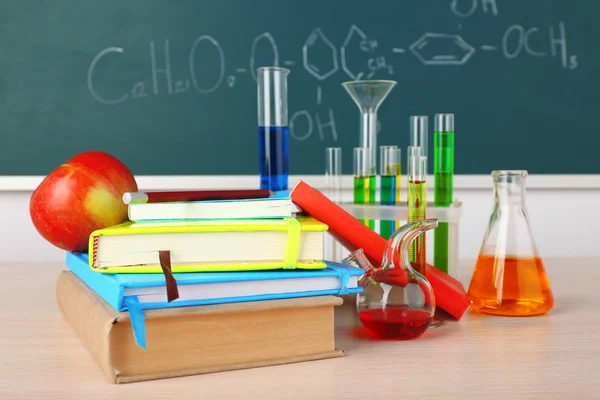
80 196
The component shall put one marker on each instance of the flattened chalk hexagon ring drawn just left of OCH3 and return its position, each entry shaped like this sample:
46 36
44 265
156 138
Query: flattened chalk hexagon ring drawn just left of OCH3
442 49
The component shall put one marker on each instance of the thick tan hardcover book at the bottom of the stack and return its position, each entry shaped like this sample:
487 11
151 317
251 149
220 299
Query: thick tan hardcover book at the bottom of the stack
201 339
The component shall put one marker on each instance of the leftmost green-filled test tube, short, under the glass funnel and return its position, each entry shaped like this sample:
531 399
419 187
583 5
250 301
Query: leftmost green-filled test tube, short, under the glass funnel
364 180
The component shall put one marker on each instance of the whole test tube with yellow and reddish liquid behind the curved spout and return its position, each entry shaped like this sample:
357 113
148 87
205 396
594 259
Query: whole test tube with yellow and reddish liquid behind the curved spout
417 204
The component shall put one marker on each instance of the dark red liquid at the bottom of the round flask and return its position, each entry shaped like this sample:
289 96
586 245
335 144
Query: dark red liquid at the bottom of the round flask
396 323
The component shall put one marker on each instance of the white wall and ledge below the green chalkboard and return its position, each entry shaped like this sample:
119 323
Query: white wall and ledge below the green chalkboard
563 221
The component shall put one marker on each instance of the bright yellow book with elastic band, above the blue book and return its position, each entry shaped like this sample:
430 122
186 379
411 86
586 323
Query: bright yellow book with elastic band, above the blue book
209 245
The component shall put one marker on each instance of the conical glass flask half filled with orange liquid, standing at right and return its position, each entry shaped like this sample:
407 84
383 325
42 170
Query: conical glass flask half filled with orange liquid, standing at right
509 277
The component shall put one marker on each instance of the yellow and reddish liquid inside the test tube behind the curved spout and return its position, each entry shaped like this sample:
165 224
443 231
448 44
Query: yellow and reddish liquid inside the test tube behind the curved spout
417 206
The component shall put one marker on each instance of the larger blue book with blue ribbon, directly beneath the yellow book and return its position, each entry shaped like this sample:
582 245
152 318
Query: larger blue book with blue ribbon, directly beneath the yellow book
138 292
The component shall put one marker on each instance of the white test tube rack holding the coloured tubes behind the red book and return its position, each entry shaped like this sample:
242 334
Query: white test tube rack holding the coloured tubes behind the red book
448 214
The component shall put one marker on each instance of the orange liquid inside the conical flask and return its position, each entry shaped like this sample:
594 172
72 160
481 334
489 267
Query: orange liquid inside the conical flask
510 286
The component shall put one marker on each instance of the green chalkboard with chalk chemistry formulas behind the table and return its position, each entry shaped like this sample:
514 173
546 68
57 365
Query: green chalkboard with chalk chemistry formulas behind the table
169 86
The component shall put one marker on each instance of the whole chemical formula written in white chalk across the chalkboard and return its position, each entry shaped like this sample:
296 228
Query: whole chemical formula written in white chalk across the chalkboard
357 56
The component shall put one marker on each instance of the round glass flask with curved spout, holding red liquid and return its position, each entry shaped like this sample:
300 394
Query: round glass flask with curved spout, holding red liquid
396 302
